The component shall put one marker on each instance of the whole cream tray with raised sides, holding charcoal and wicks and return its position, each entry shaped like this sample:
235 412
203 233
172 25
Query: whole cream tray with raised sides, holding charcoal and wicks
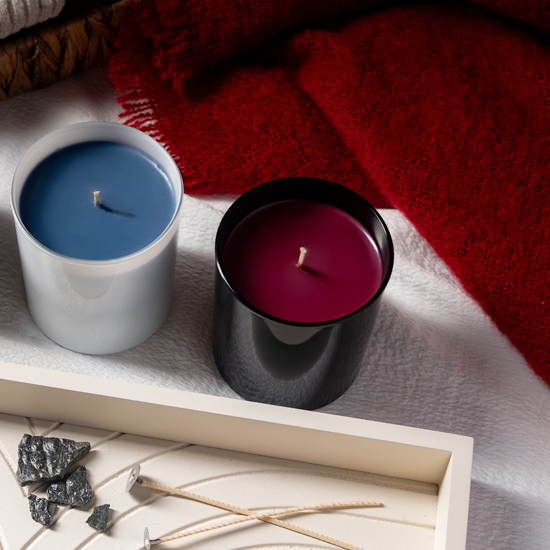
249 454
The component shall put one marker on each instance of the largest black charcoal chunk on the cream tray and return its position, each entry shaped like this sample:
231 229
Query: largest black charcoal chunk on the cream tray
47 458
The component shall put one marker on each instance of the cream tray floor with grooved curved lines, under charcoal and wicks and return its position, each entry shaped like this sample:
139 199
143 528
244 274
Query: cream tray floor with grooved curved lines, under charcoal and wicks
246 480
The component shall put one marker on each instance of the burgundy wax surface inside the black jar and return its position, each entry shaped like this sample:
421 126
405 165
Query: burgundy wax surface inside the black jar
341 273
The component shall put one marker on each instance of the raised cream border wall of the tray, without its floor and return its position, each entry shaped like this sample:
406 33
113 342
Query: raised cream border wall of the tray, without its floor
233 424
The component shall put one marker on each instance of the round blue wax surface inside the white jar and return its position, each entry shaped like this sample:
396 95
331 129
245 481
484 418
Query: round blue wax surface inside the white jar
57 200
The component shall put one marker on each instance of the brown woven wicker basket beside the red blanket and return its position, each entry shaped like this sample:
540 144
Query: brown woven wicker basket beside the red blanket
53 51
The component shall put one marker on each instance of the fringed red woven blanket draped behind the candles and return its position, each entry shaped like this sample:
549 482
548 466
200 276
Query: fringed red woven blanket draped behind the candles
441 111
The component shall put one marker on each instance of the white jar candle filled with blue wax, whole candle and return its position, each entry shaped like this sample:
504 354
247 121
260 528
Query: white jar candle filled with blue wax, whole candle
97 207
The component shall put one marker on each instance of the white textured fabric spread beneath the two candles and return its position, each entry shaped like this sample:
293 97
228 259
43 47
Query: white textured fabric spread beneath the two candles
435 360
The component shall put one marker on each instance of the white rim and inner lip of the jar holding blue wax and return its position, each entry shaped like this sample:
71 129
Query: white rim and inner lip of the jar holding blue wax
98 131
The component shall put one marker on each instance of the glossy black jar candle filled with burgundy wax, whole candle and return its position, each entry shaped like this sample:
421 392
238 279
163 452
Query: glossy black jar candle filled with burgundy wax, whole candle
307 351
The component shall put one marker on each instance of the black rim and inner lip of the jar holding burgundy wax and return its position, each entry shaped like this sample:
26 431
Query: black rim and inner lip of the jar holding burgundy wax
304 188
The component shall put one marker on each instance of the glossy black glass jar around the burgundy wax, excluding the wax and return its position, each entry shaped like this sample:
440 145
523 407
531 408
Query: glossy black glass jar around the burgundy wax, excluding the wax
298 365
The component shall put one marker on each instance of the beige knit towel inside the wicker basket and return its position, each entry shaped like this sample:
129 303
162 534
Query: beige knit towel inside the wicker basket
20 14
